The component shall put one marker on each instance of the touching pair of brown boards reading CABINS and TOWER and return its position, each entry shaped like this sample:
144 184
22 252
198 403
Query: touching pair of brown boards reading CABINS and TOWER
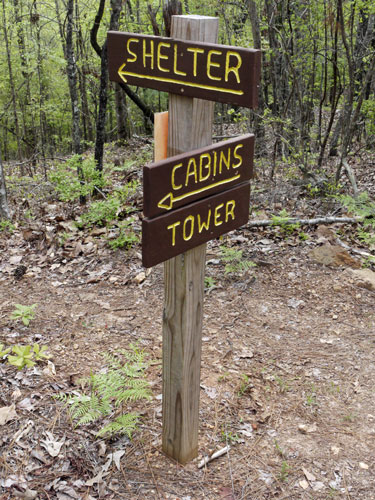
179 181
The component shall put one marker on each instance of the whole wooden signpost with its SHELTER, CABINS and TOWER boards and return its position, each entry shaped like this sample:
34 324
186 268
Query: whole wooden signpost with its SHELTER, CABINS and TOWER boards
198 193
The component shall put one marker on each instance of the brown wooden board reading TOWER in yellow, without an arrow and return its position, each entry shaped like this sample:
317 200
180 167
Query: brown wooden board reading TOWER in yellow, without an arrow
184 228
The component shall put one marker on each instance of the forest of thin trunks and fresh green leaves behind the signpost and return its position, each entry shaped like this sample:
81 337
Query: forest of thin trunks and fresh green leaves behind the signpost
316 97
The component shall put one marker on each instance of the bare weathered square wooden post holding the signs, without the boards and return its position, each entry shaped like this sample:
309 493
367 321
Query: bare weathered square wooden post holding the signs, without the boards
190 127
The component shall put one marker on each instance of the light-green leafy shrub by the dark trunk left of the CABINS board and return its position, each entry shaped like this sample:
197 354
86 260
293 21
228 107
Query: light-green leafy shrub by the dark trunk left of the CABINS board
65 179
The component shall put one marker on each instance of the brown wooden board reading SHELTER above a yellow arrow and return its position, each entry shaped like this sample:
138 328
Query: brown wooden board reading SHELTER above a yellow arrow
195 69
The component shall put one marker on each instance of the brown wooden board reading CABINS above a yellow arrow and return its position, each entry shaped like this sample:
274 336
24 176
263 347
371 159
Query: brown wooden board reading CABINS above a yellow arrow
182 179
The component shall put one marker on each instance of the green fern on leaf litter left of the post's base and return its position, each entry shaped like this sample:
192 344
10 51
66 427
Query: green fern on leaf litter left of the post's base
107 394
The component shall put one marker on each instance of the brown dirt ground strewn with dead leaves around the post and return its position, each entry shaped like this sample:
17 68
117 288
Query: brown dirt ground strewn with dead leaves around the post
287 374
